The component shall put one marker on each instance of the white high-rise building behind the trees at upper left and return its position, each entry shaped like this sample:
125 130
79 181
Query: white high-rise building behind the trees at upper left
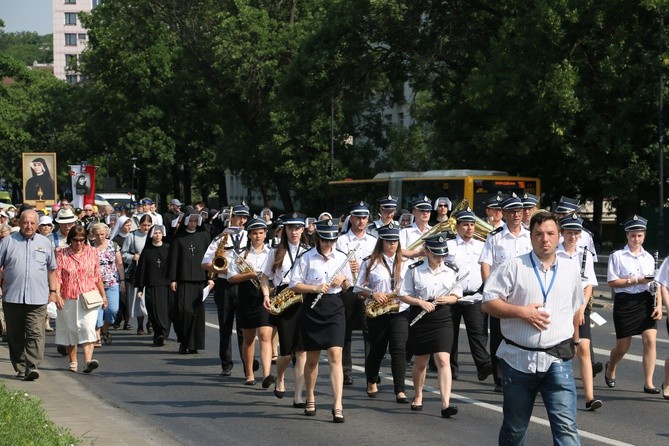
69 37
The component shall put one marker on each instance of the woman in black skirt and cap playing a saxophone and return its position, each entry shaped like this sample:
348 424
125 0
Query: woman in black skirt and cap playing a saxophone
277 270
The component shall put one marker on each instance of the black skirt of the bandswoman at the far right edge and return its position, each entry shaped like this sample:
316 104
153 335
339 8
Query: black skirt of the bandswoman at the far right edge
632 314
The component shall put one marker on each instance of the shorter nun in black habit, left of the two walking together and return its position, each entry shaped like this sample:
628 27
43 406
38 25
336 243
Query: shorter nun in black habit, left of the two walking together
152 280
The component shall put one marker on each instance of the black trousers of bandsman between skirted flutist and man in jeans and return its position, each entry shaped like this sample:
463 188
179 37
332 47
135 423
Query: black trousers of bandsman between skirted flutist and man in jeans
476 333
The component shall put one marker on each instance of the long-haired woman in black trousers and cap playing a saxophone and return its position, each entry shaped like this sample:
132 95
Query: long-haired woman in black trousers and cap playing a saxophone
383 272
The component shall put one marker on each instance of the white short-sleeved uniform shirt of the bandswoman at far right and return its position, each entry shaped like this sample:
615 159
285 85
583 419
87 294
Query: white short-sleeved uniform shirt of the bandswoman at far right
623 265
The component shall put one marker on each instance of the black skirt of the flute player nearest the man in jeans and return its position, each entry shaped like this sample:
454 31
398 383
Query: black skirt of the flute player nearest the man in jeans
433 332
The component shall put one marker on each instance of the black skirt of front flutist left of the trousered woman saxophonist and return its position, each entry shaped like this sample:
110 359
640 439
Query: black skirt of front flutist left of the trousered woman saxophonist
323 326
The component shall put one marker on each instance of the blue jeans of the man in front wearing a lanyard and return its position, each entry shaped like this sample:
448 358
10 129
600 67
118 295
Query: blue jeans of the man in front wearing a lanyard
558 391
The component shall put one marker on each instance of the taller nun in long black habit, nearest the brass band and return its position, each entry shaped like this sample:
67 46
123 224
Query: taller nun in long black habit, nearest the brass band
187 280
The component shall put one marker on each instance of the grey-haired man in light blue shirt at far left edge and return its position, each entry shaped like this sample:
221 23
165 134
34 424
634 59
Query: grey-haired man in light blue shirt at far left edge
28 284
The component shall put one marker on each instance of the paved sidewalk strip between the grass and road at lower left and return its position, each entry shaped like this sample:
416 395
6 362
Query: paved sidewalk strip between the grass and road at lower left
88 417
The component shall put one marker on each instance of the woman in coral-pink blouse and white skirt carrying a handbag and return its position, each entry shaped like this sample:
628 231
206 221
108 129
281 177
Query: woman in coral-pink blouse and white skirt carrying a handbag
78 272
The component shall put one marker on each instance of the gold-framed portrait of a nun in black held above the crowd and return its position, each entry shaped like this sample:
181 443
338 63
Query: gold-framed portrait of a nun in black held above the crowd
39 177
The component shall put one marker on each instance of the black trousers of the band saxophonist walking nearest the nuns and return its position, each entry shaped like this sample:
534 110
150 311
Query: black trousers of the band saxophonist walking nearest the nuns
225 297
